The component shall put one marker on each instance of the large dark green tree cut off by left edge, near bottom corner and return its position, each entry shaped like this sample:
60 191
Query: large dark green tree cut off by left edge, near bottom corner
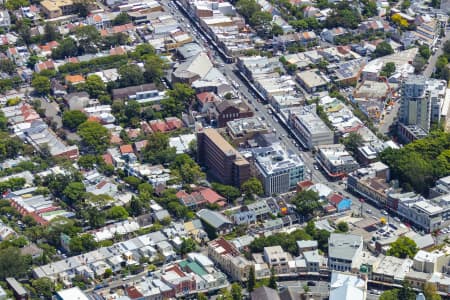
16 267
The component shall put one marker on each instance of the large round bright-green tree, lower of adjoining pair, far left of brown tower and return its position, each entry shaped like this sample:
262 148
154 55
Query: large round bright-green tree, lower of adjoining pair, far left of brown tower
94 137
